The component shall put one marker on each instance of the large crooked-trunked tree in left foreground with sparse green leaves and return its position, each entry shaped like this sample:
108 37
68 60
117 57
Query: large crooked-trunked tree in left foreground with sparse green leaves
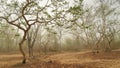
21 13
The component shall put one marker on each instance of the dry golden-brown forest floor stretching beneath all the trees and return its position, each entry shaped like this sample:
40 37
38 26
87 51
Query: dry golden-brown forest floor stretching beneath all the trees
64 60
